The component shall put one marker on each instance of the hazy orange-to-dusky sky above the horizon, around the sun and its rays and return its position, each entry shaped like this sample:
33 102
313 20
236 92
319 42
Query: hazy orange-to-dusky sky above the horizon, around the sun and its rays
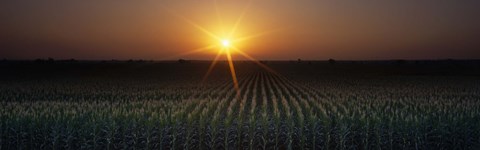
151 29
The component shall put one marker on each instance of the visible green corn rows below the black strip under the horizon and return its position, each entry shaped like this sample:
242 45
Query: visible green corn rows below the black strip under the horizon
271 112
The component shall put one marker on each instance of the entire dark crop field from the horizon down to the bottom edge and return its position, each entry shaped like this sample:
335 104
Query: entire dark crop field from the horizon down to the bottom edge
304 105
